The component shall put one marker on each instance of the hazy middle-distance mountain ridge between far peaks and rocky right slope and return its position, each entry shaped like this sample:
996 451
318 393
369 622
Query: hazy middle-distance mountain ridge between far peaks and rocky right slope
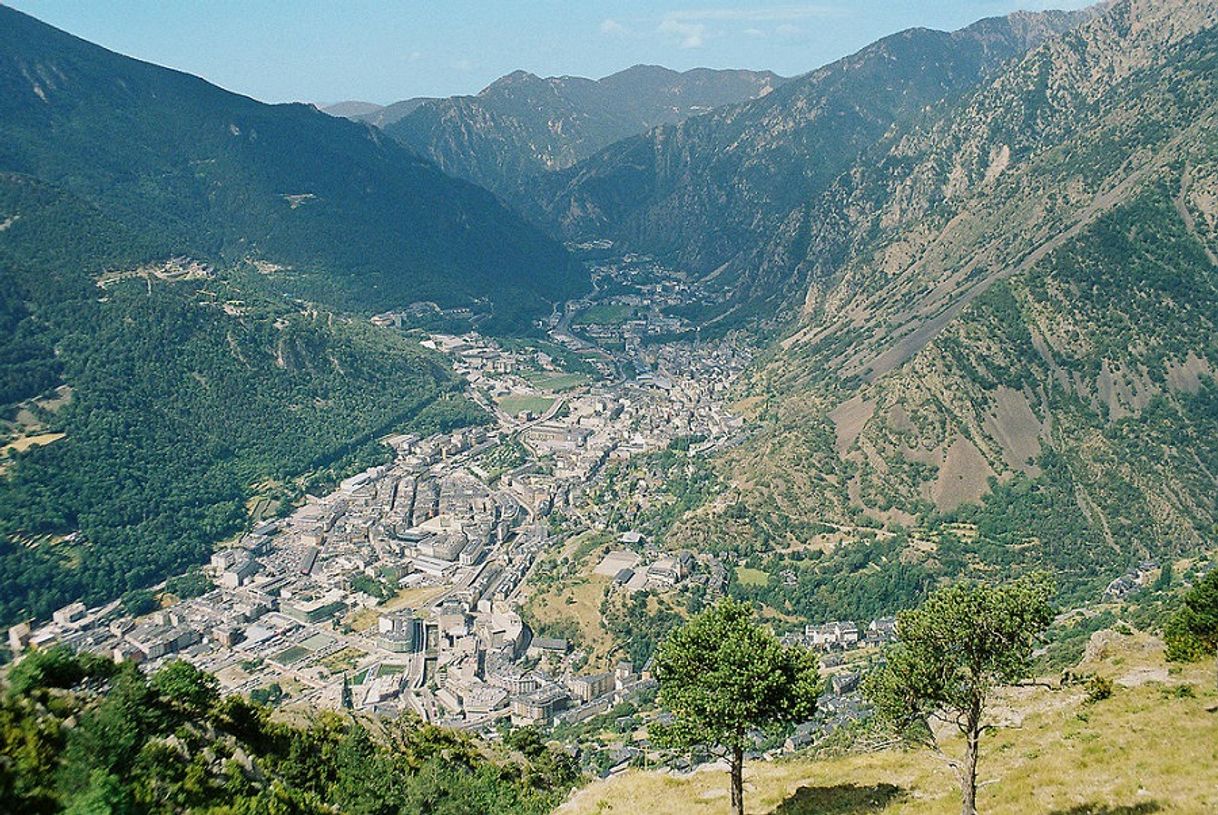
709 192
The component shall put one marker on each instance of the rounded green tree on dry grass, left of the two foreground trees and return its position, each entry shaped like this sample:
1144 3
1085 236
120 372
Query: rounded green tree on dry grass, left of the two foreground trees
722 677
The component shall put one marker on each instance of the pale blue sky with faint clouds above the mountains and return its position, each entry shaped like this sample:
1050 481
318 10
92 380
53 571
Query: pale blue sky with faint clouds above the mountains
383 52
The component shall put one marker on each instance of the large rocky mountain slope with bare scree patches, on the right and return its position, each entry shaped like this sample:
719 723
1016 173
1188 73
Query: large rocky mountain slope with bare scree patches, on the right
1007 336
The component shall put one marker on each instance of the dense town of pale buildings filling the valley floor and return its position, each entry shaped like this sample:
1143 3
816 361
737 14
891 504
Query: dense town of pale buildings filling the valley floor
407 590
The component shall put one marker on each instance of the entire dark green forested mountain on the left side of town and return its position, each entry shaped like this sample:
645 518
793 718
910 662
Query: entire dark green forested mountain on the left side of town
186 277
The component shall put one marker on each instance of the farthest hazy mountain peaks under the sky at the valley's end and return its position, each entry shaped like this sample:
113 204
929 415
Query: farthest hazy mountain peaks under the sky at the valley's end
524 125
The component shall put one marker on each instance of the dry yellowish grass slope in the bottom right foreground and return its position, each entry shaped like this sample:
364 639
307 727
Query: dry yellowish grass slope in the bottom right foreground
1147 750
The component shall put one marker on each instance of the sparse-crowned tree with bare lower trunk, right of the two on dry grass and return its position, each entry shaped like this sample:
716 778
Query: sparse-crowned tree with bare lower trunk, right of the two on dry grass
952 655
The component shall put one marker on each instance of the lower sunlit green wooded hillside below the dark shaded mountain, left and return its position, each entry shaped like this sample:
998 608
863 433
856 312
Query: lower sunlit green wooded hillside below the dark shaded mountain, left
185 400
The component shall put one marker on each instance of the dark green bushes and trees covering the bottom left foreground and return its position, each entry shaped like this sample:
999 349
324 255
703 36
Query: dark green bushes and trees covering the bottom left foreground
83 735
